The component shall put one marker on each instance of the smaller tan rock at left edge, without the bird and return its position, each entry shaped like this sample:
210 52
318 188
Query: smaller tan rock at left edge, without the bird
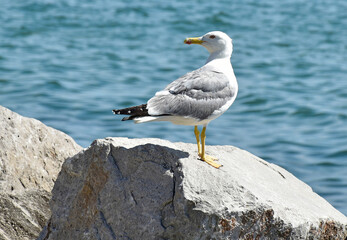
31 155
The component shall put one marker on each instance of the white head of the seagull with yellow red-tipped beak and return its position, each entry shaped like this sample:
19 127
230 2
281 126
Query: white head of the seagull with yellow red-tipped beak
216 42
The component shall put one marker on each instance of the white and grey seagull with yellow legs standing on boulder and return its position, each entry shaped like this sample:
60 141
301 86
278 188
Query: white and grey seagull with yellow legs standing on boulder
197 97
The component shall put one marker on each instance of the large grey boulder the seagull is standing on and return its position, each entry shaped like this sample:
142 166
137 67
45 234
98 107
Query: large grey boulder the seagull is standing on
120 188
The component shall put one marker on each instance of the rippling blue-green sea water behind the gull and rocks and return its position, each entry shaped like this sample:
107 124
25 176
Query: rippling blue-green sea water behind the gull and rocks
68 63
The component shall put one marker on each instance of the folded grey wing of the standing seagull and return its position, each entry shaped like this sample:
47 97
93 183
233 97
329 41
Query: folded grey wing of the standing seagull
197 94
